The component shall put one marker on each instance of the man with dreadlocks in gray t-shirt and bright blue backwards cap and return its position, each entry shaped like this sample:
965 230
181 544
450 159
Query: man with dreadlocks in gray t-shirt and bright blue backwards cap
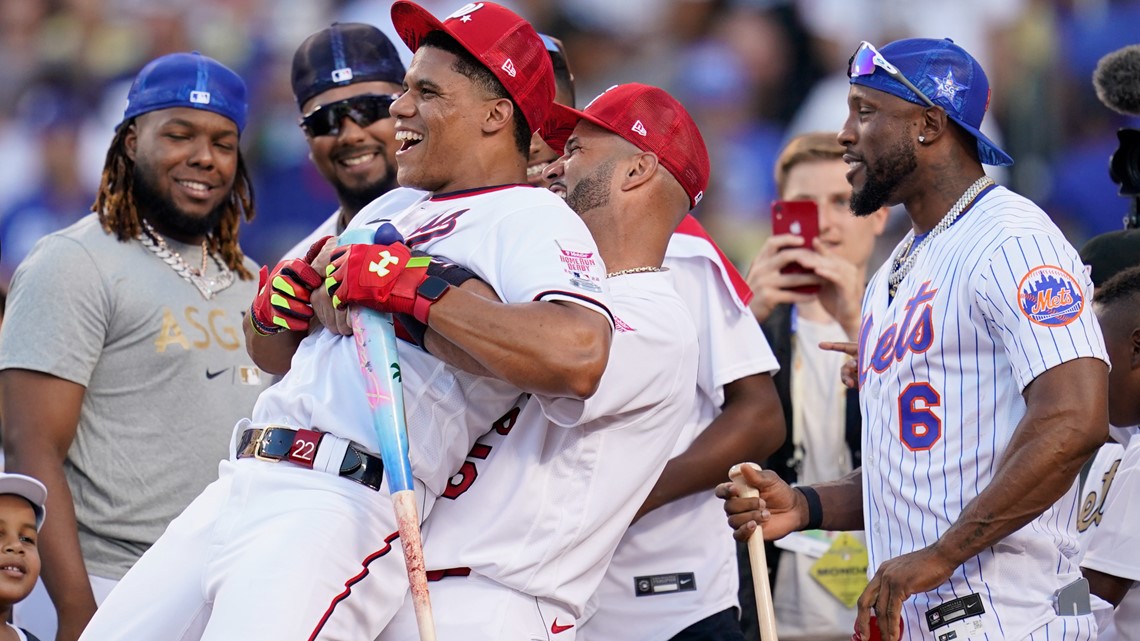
123 370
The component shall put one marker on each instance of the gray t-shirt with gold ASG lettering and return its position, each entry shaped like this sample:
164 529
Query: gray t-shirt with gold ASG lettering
166 371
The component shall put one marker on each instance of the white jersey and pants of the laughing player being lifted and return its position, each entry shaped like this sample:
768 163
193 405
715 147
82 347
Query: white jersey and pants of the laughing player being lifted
346 582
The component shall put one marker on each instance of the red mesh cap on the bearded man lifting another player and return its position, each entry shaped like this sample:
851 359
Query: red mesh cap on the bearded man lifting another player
649 118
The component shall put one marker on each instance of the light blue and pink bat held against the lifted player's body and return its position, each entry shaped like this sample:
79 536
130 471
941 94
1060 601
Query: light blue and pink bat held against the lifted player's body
376 342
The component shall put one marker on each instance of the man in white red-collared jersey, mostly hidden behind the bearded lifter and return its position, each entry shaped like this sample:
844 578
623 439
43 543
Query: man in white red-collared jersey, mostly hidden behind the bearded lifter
659 586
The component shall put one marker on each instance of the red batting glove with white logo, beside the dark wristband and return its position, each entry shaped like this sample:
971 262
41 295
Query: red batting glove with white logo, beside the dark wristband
382 278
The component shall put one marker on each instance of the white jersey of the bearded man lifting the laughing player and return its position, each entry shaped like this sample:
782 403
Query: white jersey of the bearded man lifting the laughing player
559 484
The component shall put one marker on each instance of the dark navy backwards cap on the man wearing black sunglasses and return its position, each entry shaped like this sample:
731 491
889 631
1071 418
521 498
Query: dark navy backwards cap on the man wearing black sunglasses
344 54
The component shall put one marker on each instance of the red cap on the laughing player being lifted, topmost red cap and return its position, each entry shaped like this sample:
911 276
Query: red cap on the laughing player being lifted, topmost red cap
504 43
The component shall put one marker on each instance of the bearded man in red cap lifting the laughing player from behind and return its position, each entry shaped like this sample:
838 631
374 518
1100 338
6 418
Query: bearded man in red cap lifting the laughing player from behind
525 546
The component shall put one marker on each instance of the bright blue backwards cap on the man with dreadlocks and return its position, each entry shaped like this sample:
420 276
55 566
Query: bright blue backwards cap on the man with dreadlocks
188 80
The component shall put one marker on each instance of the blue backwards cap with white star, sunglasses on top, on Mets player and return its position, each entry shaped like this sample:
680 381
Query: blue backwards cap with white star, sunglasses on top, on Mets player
948 76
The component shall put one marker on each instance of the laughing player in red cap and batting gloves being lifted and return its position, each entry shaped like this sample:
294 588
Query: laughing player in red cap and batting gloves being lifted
296 539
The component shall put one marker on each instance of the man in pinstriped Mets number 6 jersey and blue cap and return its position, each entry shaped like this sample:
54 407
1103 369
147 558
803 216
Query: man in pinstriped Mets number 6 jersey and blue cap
982 370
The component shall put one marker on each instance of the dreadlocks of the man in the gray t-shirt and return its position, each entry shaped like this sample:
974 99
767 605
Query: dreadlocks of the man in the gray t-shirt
119 215
